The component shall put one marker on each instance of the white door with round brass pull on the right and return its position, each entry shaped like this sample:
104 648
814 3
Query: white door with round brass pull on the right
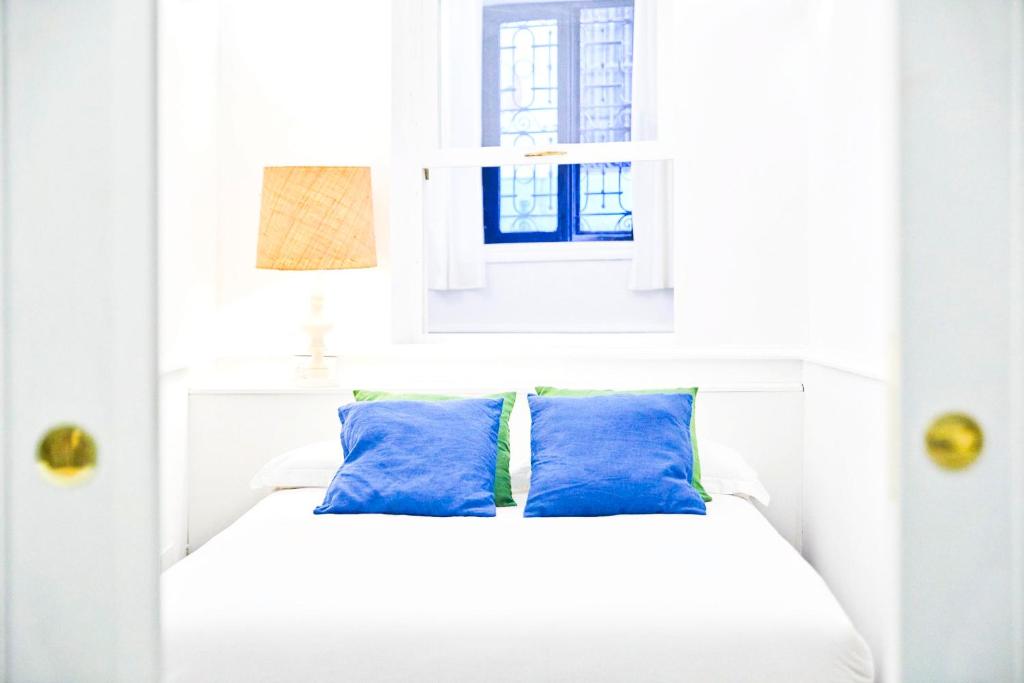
962 313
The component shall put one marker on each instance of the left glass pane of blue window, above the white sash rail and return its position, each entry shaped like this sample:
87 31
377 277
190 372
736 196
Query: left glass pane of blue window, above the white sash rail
529 82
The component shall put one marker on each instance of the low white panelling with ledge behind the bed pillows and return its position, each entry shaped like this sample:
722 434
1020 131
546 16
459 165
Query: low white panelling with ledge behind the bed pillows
235 429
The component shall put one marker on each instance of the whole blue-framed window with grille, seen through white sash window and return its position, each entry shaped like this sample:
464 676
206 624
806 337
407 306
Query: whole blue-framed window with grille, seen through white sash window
558 72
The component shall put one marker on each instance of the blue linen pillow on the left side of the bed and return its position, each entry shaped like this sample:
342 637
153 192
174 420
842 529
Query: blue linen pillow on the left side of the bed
417 458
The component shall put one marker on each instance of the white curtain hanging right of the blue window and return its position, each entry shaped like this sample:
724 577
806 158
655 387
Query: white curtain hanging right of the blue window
653 251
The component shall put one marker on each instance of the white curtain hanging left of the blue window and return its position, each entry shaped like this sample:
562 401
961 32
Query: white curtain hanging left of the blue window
453 201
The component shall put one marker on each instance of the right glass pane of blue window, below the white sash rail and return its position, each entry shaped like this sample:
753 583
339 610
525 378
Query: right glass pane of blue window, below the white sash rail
606 198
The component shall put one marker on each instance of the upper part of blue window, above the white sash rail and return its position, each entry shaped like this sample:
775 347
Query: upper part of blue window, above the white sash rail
539 90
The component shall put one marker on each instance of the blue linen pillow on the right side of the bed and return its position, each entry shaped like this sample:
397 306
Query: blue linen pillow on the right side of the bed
620 454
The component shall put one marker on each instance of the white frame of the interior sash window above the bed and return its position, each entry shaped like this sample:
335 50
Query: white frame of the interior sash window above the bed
416 127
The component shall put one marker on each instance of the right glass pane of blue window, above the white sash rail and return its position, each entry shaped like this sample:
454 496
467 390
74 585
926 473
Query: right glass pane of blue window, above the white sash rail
606 74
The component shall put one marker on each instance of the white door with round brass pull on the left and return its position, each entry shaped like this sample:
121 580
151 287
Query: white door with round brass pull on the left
79 323
